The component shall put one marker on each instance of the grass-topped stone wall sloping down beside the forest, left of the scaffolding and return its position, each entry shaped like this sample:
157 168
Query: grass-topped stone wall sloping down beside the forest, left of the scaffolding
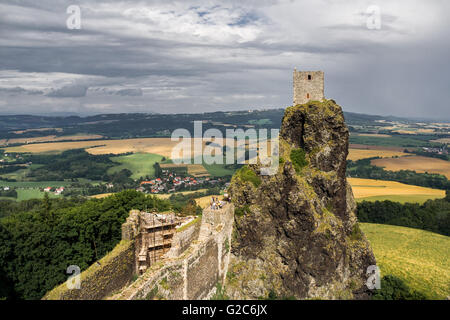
103 278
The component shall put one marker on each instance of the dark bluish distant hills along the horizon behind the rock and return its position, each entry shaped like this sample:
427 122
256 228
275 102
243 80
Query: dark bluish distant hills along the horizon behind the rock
131 125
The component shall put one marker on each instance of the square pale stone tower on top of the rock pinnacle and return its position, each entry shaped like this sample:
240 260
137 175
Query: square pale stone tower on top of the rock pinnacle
308 86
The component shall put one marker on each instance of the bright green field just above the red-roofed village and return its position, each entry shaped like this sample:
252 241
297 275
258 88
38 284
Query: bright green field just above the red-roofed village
140 164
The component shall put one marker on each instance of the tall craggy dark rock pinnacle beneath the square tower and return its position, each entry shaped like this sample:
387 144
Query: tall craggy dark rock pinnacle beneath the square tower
296 234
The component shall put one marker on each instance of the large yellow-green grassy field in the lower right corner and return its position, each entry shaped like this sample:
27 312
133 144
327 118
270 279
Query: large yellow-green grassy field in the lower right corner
420 258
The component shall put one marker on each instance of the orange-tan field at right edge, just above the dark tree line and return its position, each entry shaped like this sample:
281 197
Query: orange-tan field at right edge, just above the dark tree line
416 163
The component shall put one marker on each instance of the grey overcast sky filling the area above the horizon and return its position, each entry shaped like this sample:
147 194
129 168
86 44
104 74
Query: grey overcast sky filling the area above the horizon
199 56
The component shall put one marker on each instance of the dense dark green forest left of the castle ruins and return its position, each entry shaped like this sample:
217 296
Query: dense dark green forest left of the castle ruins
39 239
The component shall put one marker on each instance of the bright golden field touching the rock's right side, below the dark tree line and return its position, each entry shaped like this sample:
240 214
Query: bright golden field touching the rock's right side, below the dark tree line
363 188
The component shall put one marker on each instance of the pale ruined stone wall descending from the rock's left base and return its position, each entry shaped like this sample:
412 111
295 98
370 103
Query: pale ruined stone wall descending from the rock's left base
195 273
